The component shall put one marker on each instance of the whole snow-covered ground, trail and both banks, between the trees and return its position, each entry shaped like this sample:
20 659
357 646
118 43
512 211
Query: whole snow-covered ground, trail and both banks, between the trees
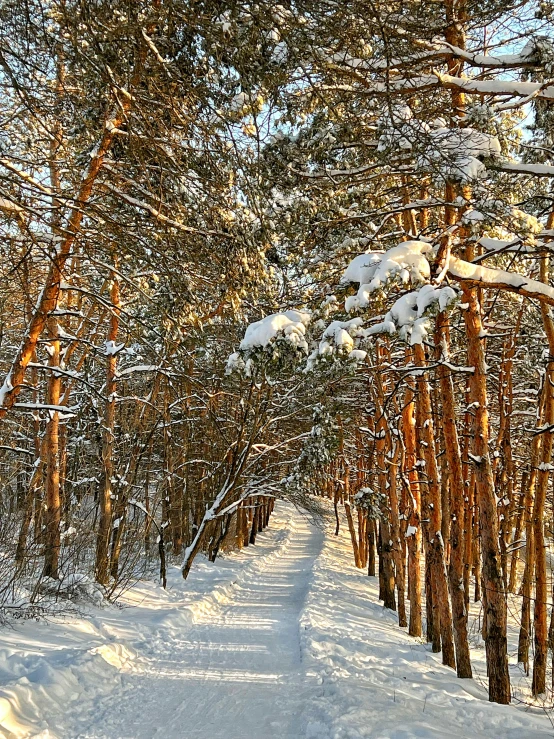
285 639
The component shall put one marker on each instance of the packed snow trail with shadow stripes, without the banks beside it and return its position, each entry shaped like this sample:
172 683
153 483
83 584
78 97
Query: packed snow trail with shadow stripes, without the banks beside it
237 672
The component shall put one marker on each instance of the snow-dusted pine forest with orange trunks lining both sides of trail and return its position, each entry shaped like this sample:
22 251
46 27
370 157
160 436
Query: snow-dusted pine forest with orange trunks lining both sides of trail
262 257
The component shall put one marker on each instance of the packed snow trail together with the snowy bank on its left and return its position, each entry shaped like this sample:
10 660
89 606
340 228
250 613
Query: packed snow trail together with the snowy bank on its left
217 656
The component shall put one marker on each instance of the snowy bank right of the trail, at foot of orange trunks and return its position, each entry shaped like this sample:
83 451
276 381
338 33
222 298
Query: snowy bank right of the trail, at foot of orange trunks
379 682
